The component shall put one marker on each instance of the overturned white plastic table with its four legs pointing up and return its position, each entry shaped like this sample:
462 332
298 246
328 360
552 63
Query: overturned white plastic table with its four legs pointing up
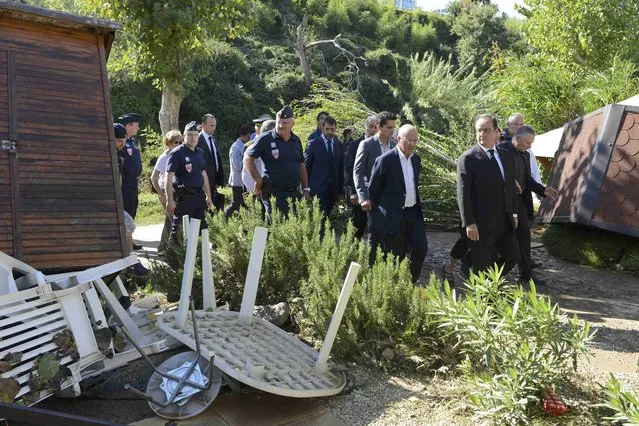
247 348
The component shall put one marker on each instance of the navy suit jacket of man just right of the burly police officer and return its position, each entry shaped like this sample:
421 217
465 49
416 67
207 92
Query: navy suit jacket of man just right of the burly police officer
322 180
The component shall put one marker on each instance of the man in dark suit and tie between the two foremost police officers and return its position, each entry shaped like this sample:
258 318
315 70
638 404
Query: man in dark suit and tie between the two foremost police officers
214 167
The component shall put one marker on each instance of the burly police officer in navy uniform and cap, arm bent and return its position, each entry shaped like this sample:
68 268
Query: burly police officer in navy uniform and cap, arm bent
281 151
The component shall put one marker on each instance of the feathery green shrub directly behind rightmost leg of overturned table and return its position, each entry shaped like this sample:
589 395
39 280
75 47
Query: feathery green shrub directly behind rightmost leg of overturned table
381 304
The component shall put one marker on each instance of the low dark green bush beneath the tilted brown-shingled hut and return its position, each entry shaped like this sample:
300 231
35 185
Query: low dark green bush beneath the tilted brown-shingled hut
589 246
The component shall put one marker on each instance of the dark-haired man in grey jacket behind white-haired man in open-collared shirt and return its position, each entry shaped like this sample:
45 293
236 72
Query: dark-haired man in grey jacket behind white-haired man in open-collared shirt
367 152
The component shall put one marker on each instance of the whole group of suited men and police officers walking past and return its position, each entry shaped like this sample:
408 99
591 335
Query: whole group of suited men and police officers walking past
377 175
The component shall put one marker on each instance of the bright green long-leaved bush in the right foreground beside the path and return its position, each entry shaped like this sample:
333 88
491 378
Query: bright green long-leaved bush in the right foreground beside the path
514 343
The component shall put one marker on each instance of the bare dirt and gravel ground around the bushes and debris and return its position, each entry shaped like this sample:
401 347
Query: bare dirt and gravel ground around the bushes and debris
607 299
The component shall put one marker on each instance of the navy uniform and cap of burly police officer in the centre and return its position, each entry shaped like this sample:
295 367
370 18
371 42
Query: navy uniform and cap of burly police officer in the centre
281 163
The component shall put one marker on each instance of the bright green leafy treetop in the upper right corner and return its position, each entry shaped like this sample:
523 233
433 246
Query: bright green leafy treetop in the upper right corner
587 33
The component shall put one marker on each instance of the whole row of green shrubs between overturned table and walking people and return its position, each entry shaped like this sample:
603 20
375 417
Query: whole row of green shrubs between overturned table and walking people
509 343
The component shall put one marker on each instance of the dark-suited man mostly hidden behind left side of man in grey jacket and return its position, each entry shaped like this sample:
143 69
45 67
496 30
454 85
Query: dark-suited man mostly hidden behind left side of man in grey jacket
358 216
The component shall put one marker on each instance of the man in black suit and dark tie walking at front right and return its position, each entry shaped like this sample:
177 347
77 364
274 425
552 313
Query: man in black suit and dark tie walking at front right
487 200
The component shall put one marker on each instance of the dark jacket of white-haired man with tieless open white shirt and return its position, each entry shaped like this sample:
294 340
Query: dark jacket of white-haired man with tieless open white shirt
387 191
